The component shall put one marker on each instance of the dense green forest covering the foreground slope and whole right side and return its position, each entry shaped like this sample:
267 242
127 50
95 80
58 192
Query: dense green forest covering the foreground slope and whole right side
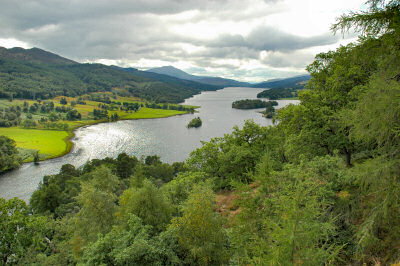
321 187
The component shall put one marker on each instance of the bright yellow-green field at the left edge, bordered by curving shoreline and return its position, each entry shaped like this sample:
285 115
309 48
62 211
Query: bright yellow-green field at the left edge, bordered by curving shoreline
49 143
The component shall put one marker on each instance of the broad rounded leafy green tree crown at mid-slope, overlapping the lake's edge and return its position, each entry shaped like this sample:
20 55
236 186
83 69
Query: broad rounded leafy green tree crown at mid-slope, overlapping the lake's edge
233 157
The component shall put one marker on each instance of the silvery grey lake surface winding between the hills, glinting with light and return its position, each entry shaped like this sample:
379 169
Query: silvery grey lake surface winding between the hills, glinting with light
167 137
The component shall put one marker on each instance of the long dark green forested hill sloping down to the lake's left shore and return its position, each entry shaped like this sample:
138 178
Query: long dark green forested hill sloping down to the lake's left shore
35 73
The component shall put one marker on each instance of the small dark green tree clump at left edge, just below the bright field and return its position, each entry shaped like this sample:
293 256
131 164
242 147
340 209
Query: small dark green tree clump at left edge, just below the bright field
9 158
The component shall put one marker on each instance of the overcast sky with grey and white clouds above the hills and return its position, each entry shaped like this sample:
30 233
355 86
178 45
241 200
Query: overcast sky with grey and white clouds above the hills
248 40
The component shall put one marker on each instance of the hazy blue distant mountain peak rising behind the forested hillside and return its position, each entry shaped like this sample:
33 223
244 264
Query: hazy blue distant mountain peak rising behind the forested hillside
217 81
